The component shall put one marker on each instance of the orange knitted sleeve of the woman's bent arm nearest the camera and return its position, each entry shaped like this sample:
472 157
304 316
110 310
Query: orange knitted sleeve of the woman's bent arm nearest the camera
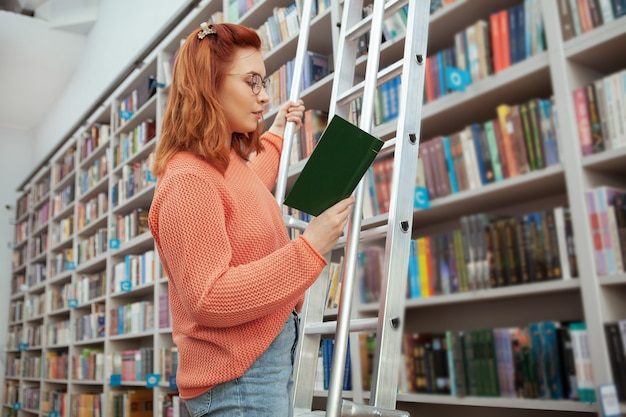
188 222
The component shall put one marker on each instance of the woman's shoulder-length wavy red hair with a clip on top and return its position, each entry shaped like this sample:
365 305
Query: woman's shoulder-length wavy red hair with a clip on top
194 120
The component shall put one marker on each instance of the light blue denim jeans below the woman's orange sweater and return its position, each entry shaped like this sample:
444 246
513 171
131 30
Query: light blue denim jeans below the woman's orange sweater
264 390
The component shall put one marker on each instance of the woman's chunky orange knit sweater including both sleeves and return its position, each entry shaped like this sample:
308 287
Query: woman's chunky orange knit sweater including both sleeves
234 275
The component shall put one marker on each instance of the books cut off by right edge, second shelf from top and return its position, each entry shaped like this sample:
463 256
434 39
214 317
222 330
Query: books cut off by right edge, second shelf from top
601 113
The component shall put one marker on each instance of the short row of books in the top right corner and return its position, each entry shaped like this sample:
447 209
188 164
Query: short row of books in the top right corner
581 16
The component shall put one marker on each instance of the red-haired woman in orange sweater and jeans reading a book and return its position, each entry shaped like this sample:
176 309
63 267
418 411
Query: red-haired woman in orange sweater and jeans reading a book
235 278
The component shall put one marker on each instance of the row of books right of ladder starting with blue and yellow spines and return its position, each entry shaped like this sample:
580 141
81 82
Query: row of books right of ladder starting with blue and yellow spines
491 251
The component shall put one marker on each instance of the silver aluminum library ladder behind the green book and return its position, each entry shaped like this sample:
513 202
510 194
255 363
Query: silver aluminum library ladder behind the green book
388 324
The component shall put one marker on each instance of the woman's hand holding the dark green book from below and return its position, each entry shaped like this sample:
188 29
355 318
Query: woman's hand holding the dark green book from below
324 231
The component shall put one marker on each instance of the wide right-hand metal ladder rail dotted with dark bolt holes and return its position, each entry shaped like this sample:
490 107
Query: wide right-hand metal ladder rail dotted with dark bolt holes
400 220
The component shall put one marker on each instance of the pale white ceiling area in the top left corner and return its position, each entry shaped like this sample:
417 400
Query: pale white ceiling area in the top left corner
41 43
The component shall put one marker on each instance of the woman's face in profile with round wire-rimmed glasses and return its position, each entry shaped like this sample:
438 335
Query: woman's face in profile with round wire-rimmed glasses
243 108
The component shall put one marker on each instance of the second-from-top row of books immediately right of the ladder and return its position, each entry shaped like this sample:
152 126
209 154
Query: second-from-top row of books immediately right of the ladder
521 139
